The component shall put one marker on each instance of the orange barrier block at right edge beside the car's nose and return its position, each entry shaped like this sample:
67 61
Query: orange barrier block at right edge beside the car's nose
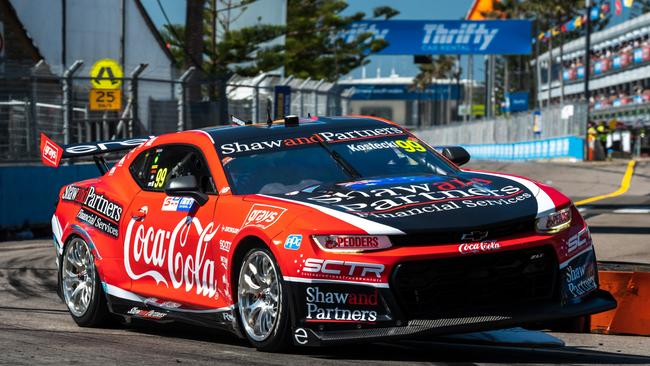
632 315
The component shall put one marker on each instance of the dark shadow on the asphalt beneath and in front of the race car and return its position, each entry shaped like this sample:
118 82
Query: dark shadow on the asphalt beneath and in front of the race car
402 351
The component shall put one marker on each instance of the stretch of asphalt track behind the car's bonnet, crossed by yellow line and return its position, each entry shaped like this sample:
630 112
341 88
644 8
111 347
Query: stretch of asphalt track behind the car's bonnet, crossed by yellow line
620 225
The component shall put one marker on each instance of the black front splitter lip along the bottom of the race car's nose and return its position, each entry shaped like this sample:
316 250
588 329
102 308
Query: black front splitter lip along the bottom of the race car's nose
596 302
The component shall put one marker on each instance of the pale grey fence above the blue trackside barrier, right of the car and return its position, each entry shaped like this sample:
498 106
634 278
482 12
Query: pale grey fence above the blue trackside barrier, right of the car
515 128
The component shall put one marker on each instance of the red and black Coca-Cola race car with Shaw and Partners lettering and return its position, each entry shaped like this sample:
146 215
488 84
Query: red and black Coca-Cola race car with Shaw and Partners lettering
313 232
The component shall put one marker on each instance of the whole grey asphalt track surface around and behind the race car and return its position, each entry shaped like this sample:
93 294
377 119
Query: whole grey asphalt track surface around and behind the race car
35 327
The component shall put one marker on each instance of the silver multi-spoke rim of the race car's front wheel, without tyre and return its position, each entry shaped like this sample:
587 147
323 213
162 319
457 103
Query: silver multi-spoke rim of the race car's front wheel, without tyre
259 295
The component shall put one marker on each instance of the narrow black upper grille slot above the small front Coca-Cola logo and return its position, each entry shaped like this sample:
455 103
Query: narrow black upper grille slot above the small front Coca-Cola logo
455 236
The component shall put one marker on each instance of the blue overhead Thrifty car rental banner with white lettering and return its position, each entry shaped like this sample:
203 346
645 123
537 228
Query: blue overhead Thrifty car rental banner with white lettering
460 37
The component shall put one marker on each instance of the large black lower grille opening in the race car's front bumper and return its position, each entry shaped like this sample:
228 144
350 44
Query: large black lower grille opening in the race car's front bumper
475 284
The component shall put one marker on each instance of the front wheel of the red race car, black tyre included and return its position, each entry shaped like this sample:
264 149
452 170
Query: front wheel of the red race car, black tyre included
263 302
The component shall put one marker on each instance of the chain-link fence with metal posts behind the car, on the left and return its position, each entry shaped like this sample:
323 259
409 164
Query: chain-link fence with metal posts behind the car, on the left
35 99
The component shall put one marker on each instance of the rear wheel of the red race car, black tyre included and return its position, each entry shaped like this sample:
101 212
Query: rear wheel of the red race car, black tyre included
81 286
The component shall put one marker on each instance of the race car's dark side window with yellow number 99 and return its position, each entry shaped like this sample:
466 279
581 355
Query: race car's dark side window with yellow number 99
153 168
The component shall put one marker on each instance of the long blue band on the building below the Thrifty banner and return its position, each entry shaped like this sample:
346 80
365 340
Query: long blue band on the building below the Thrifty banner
405 92
